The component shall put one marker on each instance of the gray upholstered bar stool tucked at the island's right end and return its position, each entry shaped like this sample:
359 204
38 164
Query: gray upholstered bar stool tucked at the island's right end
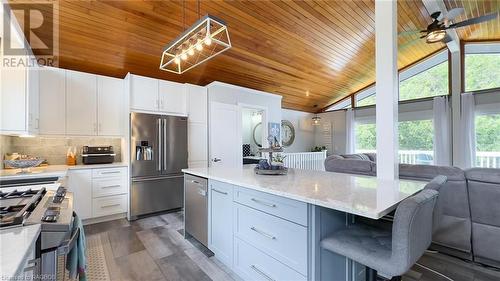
390 254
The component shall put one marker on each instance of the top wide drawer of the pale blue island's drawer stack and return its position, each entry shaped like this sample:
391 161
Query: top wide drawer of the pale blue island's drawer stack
288 209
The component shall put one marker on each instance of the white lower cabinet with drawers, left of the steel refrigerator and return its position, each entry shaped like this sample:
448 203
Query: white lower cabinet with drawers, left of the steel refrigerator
99 192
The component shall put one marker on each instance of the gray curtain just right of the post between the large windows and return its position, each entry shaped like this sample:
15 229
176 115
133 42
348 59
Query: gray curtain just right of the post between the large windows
468 130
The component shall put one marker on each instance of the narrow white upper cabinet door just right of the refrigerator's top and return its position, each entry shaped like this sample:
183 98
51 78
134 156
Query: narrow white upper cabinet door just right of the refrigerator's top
197 103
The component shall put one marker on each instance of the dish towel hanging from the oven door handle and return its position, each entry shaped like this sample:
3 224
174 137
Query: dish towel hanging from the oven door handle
76 262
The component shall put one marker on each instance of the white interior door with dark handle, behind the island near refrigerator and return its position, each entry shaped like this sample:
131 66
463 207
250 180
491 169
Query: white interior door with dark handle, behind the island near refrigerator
224 136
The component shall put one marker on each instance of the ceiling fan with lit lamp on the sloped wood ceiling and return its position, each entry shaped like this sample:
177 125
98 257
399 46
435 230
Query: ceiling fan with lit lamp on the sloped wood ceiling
436 31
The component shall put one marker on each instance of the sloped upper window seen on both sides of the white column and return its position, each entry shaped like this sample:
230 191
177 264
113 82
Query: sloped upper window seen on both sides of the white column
426 79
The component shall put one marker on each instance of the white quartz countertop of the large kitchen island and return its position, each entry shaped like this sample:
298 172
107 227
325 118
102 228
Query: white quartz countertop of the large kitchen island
360 195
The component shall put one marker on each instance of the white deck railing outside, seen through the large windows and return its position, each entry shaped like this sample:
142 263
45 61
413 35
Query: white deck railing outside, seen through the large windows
484 159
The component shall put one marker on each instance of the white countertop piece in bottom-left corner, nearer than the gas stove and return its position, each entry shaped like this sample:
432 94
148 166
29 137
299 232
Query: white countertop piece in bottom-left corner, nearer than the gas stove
15 244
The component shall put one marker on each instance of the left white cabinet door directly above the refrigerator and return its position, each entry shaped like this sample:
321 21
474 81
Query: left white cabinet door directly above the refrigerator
144 93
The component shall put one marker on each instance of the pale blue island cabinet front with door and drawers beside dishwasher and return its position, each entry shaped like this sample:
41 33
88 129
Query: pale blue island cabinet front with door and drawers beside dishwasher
258 235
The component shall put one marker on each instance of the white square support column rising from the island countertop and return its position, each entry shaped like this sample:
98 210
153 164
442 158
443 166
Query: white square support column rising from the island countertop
387 89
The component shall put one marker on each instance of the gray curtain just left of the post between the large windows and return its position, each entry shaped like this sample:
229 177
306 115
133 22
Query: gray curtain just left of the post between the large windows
442 131
